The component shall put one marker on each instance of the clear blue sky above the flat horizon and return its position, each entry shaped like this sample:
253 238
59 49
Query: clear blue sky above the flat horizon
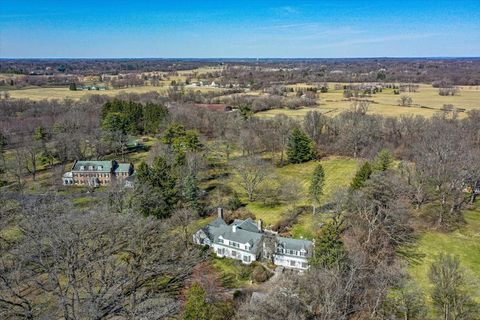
204 28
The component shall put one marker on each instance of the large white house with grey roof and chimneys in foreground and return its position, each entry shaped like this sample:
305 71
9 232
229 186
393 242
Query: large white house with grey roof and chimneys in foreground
245 240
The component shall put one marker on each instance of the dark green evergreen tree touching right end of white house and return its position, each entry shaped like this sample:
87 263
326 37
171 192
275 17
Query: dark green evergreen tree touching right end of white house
329 248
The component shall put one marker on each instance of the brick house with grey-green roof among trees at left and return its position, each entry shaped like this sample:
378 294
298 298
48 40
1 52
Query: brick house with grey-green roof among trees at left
96 173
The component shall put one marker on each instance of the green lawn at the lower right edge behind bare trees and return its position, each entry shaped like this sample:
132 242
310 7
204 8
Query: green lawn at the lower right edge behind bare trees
465 243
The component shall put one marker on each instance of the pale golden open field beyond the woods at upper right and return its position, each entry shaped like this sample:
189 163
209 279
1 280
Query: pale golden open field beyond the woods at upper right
426 102
